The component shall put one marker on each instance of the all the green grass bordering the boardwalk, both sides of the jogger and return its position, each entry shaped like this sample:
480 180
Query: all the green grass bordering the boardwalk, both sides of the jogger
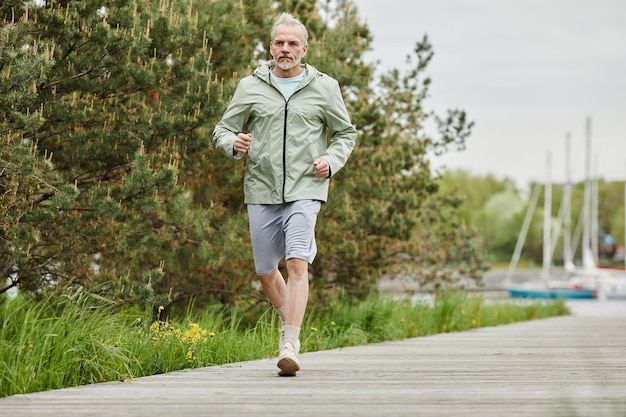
78 339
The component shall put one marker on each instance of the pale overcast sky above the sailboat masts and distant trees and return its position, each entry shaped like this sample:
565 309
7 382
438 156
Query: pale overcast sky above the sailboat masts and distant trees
528 73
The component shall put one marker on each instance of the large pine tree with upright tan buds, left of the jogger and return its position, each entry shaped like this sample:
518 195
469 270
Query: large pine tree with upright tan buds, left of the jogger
111 111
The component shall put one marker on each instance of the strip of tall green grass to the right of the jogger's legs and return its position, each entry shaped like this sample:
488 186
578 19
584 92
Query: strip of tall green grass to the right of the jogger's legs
388 318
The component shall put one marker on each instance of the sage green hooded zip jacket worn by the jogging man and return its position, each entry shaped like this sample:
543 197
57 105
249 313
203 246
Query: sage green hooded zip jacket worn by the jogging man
287 135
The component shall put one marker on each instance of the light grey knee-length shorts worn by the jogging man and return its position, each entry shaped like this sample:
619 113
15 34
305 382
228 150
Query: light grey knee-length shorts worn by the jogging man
282 230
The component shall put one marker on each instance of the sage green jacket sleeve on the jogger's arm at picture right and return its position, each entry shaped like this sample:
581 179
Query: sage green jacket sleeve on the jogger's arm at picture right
343 133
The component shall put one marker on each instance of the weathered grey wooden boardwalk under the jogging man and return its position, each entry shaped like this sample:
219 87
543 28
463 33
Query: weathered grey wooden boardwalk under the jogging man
565 366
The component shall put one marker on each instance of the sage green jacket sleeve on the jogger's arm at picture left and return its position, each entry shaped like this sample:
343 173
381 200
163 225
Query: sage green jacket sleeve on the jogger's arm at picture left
233 122
